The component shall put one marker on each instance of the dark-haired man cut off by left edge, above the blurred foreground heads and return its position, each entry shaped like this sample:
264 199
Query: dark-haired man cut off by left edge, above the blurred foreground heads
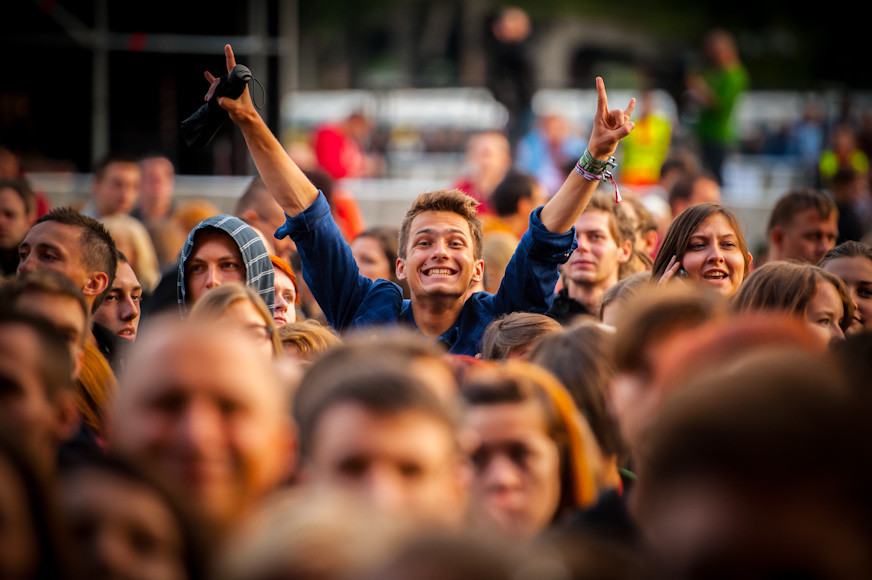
17 214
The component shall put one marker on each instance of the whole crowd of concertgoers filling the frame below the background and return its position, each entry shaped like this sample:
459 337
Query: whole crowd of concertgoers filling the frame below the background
515 382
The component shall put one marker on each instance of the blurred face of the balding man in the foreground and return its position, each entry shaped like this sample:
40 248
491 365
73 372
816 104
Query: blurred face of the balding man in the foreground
203 409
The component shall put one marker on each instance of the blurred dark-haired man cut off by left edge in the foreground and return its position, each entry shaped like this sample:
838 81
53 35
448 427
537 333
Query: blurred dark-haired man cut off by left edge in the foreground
36 370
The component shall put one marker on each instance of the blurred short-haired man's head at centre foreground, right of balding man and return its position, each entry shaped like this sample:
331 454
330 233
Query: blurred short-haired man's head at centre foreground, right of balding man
376 426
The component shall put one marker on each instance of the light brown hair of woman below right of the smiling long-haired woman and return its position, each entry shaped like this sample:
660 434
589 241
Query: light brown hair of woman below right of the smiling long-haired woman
788 286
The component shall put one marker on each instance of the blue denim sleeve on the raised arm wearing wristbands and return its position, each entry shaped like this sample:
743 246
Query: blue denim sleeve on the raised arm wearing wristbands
532 274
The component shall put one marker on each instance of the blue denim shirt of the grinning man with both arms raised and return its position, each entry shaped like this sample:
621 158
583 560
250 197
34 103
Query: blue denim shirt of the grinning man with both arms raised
351 301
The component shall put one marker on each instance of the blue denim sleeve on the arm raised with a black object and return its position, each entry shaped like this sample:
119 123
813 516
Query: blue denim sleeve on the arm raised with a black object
331 272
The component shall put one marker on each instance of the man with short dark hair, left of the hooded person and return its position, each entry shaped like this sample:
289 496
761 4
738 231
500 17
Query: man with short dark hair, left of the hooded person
80 248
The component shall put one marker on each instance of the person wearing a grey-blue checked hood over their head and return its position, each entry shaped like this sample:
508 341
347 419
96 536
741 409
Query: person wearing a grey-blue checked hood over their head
219 249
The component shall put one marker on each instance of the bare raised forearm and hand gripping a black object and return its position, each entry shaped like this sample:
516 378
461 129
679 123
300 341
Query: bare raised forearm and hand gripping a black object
289 185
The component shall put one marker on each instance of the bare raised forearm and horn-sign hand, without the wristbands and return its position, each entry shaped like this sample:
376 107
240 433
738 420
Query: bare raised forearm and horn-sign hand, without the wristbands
609 127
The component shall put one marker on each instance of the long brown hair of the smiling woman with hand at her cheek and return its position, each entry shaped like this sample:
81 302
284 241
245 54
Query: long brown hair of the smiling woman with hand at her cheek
677 238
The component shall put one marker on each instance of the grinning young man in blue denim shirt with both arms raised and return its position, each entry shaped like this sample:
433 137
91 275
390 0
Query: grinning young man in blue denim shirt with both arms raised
440 249
